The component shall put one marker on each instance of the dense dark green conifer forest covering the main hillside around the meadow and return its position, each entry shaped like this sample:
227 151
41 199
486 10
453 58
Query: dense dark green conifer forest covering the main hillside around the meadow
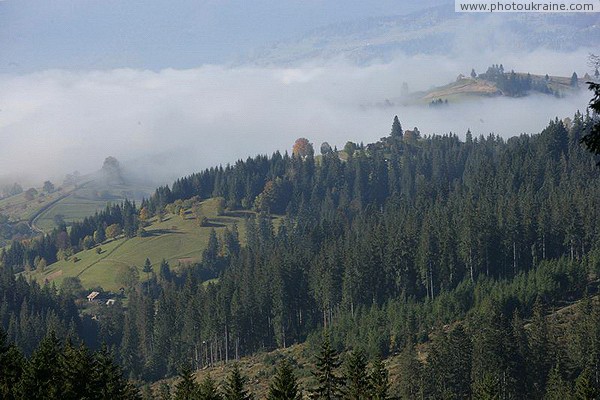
460 245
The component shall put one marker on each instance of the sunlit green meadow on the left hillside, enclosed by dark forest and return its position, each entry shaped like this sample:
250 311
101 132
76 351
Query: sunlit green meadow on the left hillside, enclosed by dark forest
175 239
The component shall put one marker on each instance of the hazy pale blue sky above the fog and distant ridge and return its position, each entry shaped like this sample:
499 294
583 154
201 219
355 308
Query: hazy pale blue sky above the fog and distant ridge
157 34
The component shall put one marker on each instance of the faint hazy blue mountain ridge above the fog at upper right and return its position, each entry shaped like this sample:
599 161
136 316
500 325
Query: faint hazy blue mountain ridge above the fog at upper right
437 30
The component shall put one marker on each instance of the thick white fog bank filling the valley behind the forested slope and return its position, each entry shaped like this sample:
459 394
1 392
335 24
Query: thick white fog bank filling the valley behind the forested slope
173 122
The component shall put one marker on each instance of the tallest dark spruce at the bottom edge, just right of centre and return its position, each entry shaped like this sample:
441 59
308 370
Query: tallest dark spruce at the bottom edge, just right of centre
329 384
